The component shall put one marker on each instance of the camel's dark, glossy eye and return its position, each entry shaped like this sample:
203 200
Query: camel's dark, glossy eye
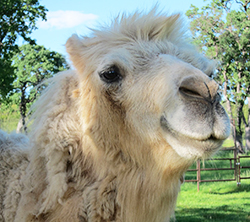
111 75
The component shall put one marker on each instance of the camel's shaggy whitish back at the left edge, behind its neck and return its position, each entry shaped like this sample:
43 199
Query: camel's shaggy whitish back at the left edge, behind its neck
13 162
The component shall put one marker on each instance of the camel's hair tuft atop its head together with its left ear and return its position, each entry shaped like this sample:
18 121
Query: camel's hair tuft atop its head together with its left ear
125 28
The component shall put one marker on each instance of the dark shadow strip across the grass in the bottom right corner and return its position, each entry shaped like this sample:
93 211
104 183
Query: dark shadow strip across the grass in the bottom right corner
220 214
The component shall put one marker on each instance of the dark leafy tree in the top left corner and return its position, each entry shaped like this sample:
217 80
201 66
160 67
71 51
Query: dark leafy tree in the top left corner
17 18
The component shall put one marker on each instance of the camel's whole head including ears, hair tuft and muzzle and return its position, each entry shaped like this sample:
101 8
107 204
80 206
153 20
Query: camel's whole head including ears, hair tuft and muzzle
146 77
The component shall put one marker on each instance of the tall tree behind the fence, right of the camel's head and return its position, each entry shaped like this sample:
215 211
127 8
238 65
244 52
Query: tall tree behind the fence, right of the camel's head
221 29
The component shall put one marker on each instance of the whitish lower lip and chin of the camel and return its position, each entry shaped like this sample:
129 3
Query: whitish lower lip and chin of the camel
191 148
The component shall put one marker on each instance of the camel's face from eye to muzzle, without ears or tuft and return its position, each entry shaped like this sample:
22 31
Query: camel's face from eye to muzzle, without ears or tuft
166 97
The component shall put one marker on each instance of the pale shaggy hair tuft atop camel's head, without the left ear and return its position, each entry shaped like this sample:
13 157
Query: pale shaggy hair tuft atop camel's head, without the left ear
140 26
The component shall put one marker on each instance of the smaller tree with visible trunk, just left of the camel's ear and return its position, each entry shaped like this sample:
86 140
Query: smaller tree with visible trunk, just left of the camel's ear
33 64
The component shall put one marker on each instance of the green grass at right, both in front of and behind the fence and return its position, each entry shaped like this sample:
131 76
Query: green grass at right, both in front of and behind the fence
216 201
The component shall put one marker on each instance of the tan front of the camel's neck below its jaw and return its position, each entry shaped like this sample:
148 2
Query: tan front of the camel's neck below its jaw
142 193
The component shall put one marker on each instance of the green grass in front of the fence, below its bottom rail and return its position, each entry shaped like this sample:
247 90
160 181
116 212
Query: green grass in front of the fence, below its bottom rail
218 202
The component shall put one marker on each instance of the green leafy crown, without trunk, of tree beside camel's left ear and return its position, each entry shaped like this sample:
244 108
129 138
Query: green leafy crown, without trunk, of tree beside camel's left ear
35 63
